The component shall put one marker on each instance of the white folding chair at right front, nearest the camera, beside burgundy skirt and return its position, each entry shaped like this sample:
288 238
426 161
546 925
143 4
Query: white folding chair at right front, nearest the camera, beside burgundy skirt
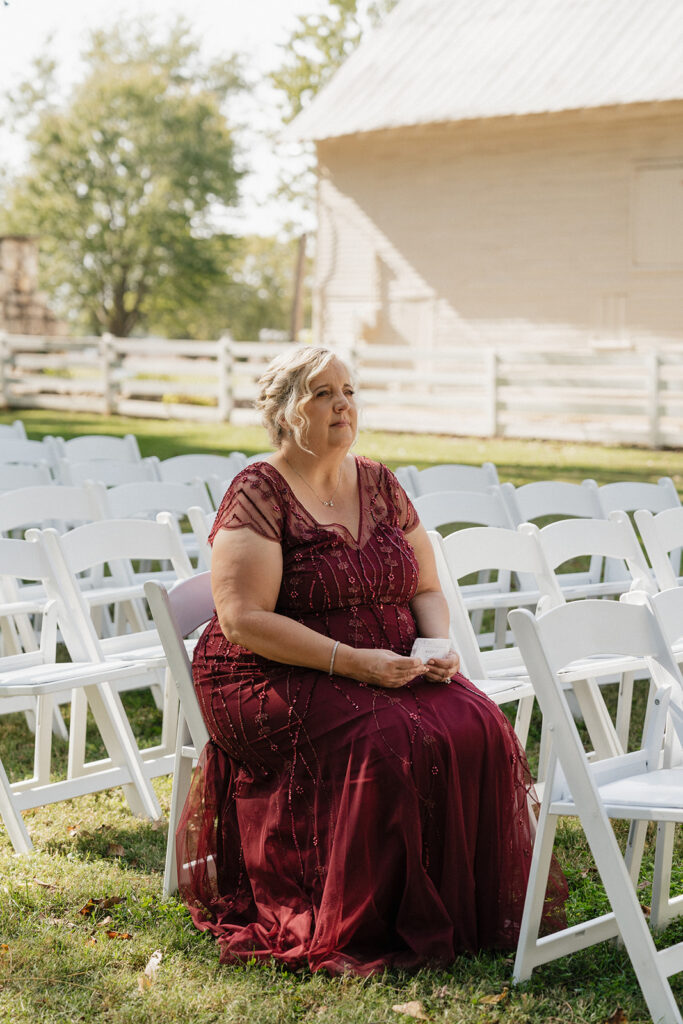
632 787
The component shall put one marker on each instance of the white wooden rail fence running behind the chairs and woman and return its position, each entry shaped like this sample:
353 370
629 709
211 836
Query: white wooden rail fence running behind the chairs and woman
631 396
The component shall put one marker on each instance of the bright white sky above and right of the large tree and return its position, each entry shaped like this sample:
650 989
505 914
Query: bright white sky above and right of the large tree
257 28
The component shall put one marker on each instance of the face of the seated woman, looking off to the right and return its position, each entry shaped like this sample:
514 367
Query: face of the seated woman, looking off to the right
331 410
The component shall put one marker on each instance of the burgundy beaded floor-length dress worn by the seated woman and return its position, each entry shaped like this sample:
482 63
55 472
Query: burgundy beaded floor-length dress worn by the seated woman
336 825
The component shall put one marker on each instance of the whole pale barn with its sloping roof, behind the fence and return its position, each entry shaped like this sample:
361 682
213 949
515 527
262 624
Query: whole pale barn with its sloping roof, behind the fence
504 169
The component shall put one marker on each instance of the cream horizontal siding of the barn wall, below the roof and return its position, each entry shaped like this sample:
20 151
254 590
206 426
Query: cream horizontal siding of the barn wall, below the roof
480 231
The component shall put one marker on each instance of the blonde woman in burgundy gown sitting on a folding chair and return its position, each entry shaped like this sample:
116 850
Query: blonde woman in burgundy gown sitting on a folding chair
356 808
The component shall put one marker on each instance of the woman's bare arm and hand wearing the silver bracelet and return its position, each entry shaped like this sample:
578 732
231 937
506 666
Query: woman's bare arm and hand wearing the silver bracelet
246 576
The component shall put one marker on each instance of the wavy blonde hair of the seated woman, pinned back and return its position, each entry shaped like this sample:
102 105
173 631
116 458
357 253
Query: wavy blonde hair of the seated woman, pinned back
284 390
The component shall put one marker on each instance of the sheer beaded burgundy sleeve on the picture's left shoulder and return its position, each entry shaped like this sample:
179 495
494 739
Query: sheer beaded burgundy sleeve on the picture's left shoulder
252 500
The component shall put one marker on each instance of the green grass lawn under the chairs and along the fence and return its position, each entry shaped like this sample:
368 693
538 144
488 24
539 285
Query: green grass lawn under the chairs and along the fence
60 965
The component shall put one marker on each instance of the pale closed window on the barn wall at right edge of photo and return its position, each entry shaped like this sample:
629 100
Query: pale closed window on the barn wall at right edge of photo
658 218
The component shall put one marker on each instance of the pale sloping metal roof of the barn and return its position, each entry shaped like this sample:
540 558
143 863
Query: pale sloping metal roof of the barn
436 61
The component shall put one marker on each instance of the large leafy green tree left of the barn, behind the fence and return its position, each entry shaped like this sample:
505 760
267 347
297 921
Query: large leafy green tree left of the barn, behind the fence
127 179
